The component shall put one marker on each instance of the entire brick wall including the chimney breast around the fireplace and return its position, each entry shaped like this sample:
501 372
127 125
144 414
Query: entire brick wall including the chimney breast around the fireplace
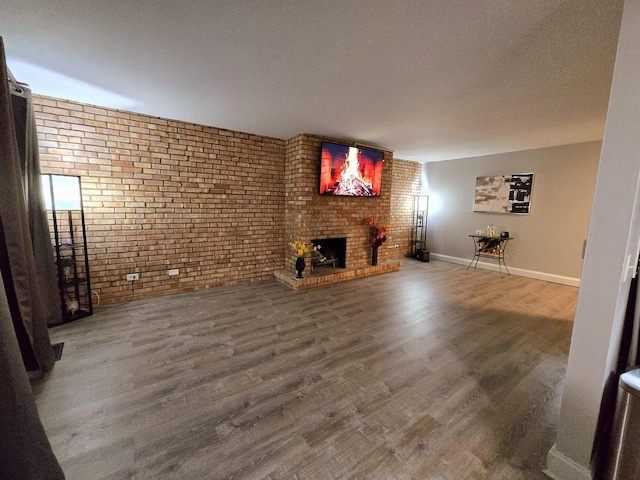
221 206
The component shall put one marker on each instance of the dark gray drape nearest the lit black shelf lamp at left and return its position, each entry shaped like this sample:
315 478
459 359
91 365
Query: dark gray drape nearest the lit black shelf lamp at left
27 257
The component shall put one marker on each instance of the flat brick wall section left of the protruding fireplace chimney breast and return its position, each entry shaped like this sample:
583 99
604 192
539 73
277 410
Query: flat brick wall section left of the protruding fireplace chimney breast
162 194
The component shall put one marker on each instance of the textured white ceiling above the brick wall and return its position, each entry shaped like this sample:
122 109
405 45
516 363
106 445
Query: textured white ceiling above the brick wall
429 79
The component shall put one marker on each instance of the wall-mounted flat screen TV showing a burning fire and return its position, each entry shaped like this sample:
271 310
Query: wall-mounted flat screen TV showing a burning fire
350 171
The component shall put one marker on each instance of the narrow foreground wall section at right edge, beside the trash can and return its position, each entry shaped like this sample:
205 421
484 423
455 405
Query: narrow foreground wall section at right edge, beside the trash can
614 233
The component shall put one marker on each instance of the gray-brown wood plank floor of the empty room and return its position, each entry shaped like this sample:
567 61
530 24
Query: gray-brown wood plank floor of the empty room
432 372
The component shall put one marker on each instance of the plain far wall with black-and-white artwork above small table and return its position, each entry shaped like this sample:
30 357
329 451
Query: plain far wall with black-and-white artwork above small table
550 239
